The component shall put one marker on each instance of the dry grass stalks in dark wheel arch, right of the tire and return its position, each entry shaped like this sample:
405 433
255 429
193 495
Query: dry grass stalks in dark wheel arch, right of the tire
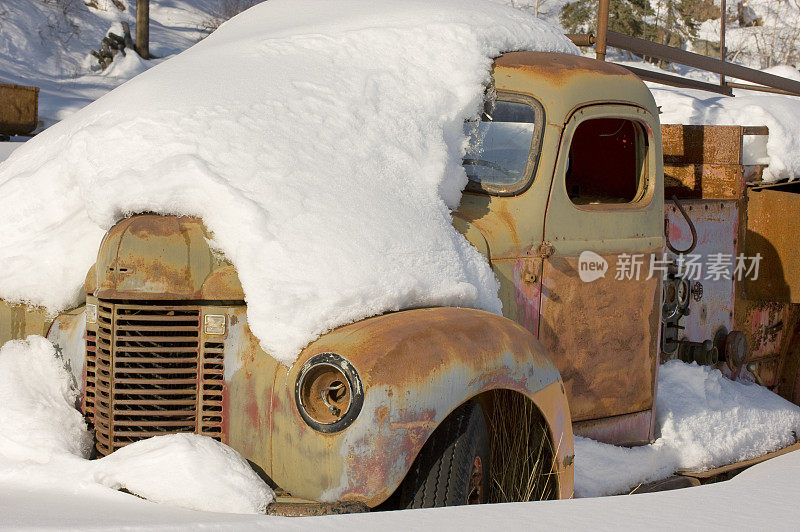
522 452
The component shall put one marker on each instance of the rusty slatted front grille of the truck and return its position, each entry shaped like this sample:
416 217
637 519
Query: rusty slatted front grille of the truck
152 374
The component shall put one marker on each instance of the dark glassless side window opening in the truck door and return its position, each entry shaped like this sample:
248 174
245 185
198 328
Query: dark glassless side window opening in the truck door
607 162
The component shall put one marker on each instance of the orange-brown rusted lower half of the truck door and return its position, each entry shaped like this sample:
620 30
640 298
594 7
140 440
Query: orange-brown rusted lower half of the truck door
602 337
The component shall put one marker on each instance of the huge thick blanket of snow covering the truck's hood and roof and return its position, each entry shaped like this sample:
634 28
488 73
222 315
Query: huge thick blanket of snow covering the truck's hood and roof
324 153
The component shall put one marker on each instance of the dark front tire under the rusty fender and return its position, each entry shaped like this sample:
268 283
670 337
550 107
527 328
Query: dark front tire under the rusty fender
453 466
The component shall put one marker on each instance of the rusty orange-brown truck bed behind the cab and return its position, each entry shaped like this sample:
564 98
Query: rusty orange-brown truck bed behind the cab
748 227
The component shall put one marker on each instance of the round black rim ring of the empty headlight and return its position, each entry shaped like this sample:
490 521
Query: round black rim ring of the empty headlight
347 369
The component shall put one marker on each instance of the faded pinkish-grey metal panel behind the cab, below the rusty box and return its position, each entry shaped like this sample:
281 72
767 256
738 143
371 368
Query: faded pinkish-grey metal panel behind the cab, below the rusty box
717 226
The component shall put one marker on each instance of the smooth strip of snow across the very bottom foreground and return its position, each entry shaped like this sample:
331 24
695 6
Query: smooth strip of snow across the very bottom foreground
762 497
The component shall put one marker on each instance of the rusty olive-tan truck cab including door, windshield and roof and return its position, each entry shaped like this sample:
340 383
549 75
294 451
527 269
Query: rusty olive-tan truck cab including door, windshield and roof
568 166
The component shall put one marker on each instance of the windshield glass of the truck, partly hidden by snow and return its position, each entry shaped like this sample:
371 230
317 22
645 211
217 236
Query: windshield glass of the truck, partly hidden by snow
500 144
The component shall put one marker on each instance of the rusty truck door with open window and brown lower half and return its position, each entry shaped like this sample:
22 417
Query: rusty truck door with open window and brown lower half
600 301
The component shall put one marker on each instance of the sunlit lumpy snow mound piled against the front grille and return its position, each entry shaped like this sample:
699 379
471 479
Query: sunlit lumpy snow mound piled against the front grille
44 442
